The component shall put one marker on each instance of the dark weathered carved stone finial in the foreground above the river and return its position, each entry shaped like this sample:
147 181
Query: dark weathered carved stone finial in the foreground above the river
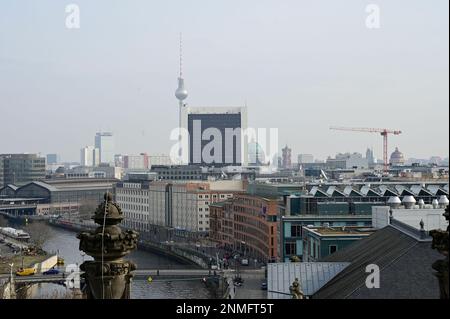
108 276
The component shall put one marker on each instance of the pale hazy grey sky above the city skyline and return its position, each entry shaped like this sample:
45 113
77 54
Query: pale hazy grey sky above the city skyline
301 66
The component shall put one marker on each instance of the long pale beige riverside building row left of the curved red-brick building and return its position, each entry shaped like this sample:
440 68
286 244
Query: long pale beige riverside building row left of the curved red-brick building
182 207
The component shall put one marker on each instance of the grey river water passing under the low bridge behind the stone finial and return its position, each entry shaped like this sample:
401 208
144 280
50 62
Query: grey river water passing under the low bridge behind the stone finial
65 243
